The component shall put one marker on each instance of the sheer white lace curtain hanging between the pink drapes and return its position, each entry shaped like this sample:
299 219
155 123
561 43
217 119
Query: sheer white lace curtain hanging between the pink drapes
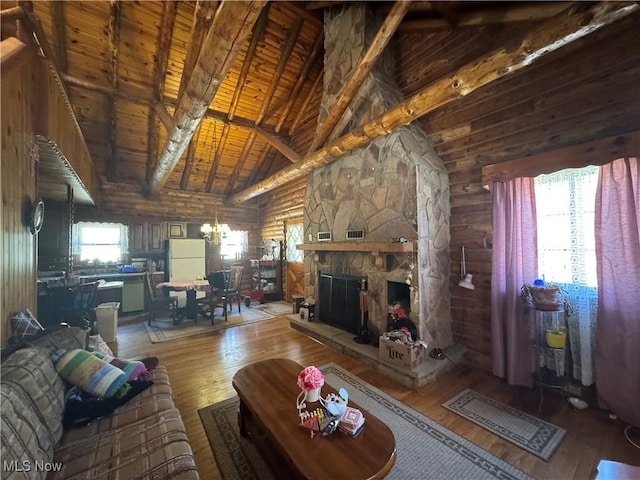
565 205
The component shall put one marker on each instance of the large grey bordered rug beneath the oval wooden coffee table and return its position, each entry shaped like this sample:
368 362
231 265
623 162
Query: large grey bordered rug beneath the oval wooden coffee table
425 448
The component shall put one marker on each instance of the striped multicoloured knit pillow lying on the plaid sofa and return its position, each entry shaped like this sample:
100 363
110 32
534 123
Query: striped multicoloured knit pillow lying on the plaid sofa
91 374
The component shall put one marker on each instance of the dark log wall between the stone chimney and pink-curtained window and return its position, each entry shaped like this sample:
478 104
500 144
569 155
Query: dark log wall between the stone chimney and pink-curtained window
584 91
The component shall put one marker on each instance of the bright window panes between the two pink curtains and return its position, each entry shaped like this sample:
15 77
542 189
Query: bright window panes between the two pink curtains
565 204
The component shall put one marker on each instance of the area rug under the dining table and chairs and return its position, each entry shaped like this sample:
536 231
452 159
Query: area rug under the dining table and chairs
163 329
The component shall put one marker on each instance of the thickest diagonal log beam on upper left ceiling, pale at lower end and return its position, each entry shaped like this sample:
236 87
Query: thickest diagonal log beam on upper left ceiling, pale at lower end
231 27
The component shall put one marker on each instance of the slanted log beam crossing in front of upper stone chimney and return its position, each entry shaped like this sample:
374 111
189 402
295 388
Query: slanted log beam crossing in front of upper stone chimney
351 87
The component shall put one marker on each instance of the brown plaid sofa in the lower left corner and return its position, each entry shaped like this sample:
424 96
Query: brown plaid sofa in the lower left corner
144 438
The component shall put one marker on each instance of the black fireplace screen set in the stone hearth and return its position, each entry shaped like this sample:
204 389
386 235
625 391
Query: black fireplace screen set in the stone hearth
338 302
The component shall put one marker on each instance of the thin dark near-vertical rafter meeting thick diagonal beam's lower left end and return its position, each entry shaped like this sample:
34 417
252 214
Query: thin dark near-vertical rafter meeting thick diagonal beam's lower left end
163 46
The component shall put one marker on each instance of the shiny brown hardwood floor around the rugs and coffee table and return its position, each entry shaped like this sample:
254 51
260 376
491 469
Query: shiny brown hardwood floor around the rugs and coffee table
201 368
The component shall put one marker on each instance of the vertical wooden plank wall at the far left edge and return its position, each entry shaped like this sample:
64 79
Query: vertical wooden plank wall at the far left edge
18 194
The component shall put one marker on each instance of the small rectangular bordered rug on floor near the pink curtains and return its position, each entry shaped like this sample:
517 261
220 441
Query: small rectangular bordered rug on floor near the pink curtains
526 431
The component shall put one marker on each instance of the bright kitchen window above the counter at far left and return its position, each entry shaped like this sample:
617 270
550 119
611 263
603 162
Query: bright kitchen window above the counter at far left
105 242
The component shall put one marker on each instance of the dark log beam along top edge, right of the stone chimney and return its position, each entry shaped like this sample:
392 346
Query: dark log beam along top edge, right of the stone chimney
490 16
